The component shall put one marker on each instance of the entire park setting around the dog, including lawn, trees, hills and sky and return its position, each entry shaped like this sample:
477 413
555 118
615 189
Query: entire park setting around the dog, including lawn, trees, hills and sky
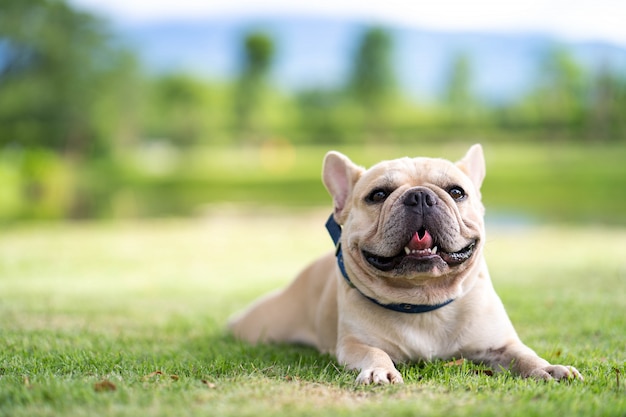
158 174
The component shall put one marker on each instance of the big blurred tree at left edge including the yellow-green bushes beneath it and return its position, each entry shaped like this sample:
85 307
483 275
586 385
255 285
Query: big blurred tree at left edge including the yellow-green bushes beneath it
67 95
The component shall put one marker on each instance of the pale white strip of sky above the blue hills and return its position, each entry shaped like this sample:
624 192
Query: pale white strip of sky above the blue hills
586 20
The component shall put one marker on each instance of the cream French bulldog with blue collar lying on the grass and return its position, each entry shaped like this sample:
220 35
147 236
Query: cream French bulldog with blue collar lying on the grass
407 280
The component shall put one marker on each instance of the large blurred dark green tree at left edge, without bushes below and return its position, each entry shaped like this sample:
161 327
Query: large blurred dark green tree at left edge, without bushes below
55 65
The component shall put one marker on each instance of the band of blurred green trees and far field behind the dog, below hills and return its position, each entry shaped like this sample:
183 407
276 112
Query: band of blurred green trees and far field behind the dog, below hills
85 132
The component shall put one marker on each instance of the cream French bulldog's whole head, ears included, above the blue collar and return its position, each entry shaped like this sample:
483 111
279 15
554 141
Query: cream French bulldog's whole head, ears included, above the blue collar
409 223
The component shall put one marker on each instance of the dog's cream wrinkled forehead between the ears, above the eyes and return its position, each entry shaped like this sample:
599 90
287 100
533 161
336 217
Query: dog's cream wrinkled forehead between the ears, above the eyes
412 172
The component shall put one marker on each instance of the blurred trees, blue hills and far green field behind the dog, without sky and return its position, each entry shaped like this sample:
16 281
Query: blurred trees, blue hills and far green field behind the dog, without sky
103 117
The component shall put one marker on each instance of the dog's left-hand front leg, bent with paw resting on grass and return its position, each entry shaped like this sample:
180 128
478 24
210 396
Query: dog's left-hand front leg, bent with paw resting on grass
374 364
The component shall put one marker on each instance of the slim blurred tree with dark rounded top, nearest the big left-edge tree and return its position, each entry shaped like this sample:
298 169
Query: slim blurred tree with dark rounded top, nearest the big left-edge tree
257 57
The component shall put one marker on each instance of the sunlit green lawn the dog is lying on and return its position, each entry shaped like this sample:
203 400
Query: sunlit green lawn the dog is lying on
127 319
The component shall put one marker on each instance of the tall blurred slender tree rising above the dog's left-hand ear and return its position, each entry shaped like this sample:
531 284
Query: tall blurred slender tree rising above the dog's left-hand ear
372 81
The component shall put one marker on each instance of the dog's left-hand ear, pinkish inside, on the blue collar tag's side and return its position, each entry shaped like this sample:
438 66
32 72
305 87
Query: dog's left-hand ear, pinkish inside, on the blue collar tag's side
339 175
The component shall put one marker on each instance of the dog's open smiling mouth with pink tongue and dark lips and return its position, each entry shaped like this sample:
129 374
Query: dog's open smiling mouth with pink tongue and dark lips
423 251
